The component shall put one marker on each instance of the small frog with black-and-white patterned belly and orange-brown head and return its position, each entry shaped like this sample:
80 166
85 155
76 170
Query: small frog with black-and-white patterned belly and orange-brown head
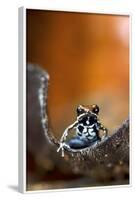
87 128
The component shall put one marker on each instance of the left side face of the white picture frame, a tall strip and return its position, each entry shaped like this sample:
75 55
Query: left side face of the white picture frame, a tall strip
22 101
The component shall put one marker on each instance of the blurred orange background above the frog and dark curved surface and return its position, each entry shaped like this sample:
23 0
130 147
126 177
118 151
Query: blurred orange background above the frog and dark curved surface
87 58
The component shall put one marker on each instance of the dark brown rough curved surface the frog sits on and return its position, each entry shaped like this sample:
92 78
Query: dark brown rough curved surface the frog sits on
106 163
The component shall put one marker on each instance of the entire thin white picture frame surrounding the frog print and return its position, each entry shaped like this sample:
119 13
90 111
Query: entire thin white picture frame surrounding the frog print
22 93
